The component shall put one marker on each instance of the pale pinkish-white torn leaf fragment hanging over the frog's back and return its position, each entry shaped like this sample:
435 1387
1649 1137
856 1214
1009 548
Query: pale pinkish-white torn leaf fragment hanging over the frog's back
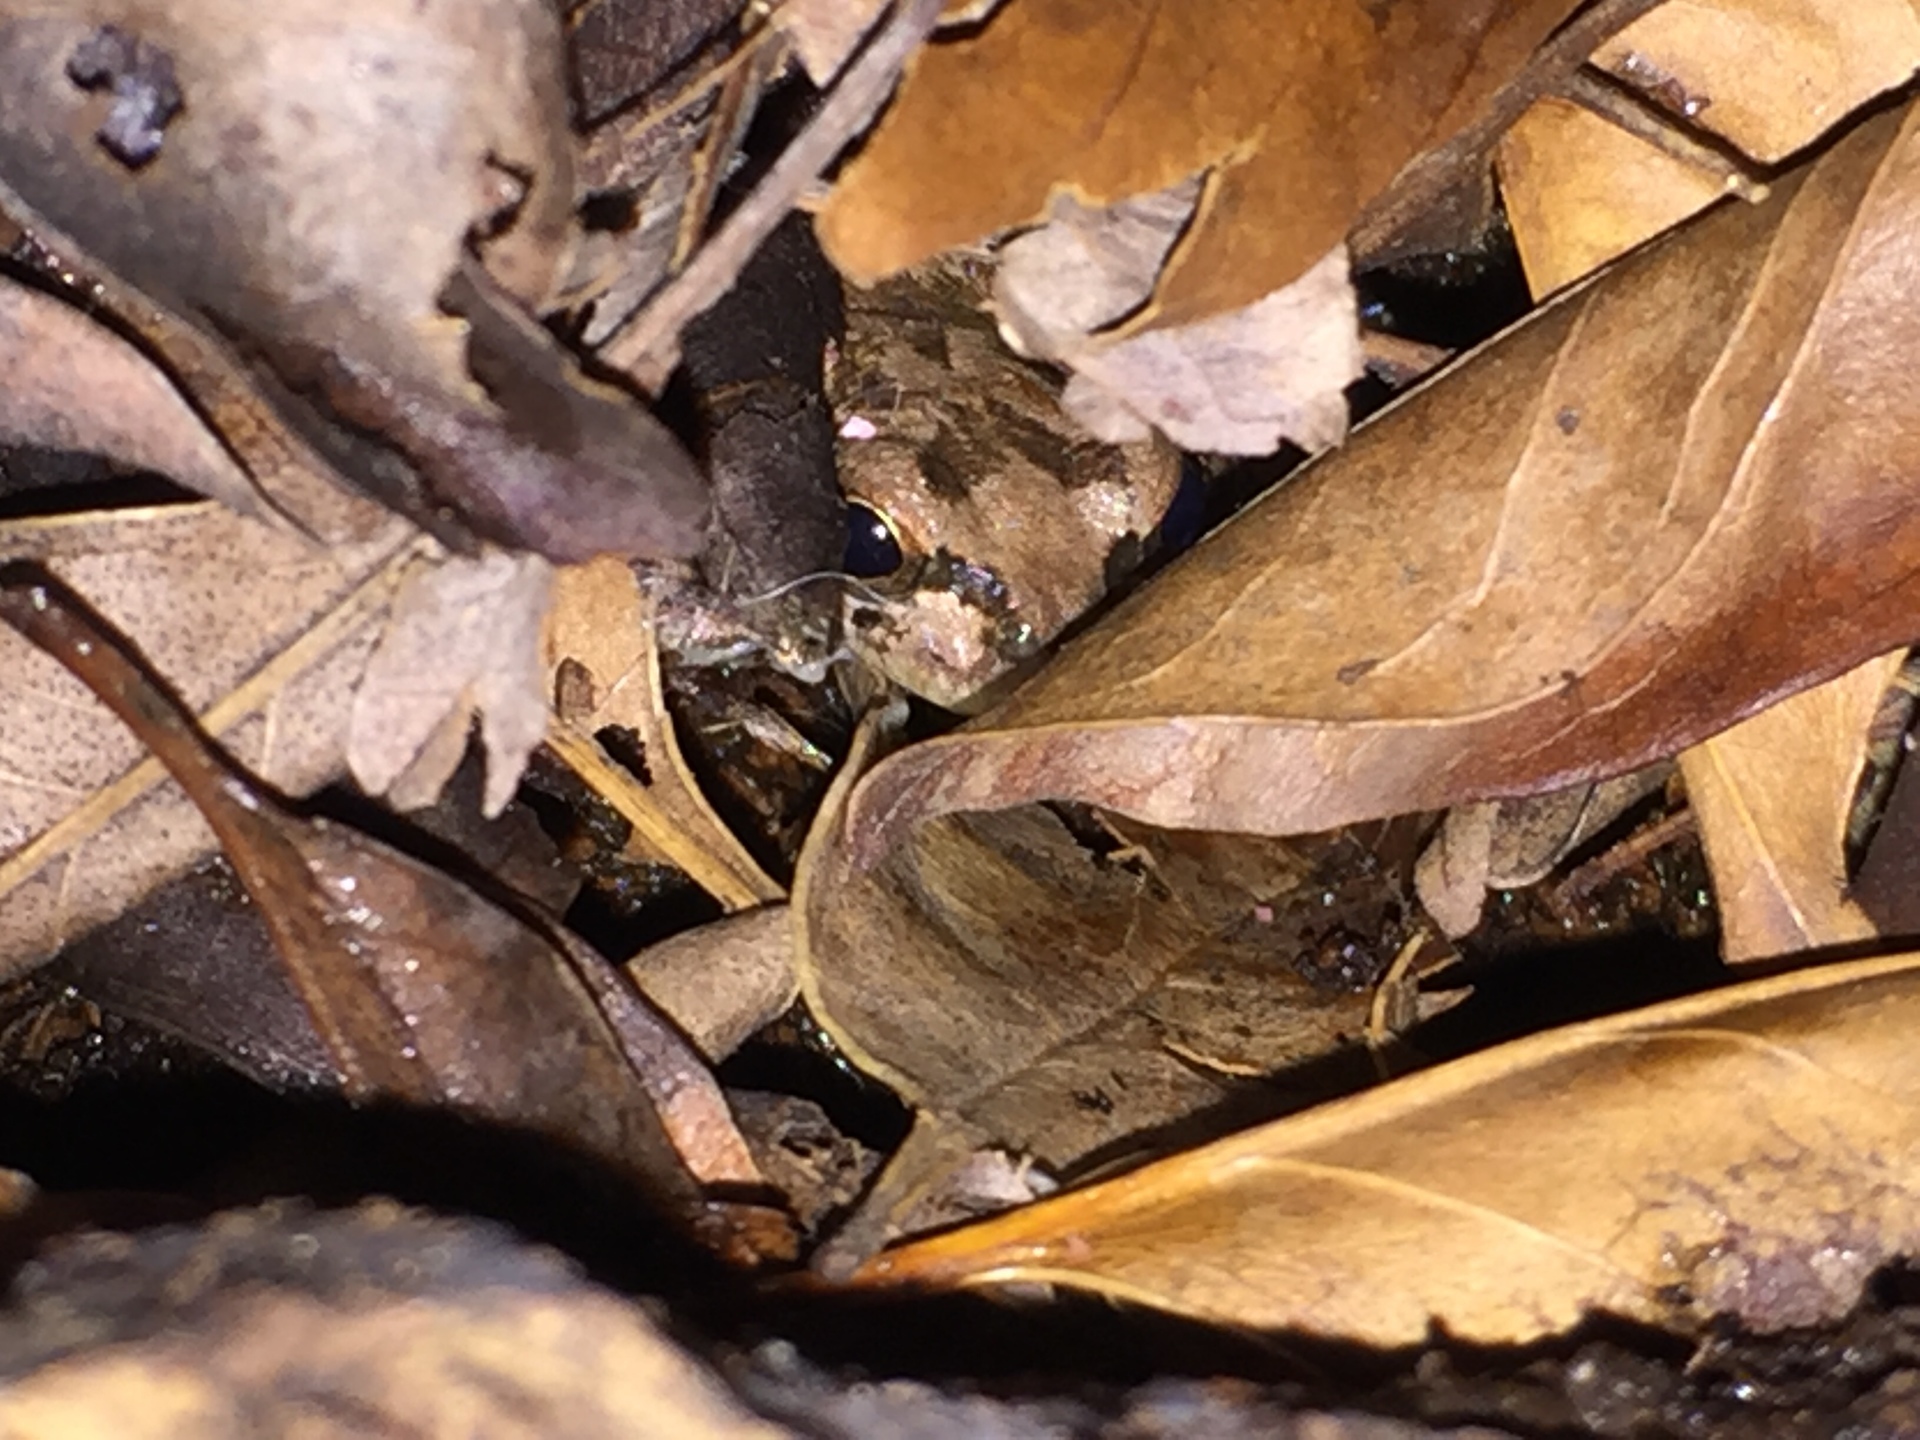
1230 385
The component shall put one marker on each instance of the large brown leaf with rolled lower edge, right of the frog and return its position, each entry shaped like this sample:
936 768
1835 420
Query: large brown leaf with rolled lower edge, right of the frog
1652 510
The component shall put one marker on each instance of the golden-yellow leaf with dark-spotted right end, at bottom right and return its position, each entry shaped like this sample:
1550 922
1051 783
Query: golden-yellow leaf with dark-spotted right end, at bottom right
1748 1153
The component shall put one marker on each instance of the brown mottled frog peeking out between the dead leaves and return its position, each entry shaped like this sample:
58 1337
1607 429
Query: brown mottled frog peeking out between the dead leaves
1007 519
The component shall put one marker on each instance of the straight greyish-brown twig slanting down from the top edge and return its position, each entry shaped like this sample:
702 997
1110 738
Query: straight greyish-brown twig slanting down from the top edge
648 347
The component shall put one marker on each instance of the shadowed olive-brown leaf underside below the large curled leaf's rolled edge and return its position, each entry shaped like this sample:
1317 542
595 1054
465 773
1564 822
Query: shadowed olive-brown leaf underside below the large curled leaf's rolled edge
1024 992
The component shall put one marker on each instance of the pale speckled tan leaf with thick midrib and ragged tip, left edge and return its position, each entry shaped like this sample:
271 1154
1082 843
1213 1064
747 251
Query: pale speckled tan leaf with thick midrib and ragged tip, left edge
274 642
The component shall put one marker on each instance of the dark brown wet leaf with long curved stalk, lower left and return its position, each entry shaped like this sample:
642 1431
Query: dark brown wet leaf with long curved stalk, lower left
421 990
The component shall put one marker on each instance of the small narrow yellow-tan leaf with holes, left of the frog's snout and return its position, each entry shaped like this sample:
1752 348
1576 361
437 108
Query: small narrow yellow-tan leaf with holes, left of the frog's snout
606 671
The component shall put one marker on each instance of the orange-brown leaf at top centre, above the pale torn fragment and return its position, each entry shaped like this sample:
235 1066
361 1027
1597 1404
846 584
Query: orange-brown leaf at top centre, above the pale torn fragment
1301 114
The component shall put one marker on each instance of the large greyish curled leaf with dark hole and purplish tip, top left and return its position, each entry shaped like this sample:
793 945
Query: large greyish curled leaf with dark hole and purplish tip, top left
318 247
